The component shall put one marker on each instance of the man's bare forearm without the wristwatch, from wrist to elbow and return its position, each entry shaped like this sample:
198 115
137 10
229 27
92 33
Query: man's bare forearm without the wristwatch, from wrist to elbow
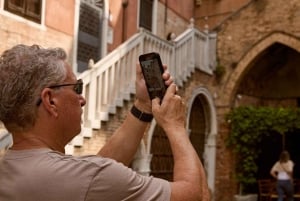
189 175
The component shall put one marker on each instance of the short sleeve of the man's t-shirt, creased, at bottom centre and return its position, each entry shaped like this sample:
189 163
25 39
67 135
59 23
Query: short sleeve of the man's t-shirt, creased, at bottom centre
116 182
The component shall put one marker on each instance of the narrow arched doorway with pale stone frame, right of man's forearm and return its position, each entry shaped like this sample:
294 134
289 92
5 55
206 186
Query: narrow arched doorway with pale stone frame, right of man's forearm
201 104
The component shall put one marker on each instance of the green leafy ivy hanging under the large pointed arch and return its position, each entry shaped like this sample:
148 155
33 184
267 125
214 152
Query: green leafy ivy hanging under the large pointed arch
248 126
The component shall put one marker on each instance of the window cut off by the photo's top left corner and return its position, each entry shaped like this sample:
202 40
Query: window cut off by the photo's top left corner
29 9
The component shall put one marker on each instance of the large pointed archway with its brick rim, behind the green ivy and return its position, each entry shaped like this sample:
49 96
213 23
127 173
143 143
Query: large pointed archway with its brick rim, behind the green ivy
268 75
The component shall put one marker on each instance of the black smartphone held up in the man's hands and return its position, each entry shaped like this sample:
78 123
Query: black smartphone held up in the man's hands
152 69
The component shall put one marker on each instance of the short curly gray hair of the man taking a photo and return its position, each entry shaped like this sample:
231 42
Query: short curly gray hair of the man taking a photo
24 72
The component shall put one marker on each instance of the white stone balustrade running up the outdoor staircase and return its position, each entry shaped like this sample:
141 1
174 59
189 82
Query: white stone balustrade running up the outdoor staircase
111 80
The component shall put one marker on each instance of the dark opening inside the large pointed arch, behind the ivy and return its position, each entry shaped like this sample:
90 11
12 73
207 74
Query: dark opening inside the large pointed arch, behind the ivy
272 80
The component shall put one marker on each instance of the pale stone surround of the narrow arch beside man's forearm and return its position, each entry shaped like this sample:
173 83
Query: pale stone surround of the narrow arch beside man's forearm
209 155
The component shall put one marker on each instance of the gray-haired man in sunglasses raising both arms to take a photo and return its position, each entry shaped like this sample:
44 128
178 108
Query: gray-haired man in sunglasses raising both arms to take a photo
41 106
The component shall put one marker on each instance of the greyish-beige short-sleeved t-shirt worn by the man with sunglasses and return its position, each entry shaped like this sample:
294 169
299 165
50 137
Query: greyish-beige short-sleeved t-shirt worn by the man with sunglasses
46 175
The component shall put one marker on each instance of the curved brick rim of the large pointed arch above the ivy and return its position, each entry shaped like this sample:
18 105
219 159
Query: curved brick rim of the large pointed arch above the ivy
236 76
